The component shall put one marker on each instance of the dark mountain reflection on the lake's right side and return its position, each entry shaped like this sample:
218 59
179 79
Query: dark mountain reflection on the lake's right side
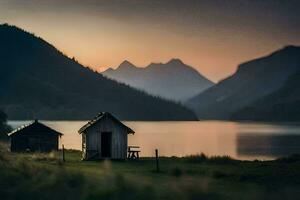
268 145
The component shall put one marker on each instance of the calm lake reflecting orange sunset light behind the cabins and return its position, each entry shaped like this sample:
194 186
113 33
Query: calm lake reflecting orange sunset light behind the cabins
238 140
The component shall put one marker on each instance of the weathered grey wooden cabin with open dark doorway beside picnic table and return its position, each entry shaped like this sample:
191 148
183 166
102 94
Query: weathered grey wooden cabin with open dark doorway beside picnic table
104 137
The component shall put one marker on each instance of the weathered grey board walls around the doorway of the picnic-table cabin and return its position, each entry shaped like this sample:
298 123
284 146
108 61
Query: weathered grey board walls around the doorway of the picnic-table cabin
92 139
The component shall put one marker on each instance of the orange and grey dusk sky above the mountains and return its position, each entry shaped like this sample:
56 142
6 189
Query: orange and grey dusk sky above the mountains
213 36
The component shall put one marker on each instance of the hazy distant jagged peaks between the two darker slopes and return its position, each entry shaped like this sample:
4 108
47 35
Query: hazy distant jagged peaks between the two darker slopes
173 80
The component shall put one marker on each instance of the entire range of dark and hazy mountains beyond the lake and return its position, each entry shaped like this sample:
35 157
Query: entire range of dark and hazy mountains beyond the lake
39 81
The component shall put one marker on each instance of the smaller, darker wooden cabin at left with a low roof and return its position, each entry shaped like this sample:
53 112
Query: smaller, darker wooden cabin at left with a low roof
34 137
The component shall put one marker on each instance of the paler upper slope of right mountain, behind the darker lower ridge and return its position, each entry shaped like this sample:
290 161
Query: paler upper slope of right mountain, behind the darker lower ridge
252 80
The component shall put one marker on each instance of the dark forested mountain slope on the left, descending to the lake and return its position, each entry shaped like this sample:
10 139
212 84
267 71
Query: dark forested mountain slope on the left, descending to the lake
39 81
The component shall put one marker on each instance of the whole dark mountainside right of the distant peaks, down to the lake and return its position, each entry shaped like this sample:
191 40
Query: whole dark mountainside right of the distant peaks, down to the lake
257 90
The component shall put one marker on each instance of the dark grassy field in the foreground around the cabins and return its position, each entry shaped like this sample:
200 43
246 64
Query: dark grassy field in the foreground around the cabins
45 176
